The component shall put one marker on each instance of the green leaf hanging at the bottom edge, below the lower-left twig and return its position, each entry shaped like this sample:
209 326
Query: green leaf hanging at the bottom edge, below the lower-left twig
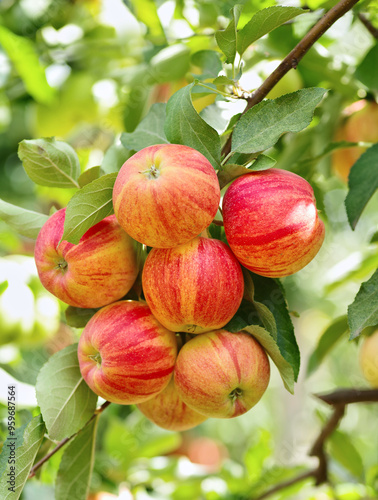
75 470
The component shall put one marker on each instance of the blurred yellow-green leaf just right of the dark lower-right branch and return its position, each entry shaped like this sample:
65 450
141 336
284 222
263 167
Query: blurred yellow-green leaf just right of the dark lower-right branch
343 450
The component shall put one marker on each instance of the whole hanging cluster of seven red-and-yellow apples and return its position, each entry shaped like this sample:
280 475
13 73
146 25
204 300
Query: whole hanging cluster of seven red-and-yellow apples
165 197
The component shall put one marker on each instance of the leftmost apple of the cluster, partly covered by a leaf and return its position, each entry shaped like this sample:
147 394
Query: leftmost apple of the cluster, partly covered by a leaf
99 270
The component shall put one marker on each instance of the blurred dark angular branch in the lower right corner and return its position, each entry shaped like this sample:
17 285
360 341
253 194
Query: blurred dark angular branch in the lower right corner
338 399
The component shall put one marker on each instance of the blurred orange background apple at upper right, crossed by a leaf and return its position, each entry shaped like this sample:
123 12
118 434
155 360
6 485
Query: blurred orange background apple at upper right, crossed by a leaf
360 126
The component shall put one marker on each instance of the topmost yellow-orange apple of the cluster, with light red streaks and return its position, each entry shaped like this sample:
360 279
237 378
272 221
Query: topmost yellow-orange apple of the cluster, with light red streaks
166 195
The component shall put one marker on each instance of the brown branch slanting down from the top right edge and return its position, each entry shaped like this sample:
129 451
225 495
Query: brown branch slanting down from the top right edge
293 58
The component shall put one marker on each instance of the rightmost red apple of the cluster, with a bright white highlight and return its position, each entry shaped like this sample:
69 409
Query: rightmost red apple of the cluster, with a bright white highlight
271 222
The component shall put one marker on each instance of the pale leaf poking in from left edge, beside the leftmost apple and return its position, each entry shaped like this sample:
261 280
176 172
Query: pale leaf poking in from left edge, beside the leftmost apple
25 222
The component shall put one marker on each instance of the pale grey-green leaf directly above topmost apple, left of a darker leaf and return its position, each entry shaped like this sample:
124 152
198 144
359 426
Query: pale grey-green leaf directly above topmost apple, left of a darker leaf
149 132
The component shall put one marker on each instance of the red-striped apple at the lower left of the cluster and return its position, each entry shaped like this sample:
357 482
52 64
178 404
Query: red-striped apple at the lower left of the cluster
125 355
